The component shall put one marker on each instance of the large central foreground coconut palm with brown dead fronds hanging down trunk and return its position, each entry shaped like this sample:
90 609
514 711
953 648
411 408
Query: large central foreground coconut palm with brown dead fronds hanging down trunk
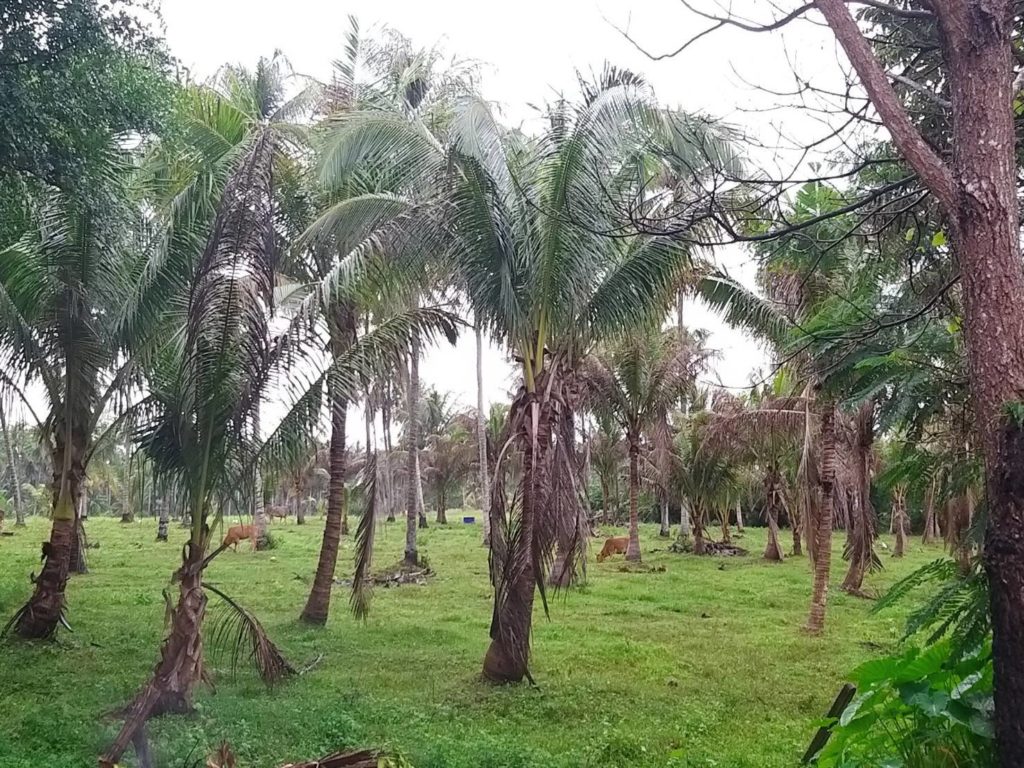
525 224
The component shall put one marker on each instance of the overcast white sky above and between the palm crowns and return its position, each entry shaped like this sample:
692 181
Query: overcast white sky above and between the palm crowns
531 51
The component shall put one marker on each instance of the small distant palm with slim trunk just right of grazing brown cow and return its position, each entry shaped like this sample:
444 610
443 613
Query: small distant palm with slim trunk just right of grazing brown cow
637 381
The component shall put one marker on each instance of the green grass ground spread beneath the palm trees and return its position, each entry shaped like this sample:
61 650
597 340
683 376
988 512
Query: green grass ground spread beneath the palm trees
702 665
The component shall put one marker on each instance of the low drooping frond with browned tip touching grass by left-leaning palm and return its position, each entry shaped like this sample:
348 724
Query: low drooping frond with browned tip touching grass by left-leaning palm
234 630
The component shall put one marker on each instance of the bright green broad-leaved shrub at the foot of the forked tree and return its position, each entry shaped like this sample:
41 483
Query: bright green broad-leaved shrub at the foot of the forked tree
923 709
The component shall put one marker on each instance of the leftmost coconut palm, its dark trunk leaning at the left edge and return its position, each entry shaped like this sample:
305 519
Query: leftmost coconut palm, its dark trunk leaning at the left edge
64 288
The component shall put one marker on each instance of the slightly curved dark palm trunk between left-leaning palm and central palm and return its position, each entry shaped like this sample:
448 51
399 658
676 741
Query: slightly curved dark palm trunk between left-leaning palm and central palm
319 604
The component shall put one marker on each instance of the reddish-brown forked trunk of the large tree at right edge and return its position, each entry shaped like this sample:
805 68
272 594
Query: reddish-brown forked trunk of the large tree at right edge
979 195
